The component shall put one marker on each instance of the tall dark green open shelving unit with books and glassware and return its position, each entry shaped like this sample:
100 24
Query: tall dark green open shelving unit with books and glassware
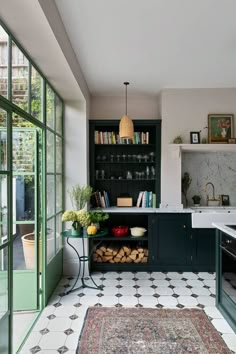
110 159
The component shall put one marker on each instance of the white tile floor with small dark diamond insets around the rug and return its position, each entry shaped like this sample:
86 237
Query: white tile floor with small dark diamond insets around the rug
59 326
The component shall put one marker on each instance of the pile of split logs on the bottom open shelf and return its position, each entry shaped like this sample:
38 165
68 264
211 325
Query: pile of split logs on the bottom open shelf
114 253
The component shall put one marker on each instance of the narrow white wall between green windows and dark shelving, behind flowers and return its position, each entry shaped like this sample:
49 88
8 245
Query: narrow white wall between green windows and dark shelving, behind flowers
76 169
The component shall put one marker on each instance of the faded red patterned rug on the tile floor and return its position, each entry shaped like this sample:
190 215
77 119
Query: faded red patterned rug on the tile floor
109 330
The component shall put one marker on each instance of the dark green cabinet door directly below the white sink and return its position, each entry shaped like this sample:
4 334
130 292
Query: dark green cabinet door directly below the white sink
203 254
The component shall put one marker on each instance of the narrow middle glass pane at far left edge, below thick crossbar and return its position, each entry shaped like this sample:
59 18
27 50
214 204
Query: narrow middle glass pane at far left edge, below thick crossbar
3 209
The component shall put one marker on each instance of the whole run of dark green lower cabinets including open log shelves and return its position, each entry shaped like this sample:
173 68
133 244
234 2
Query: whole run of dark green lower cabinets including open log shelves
171 242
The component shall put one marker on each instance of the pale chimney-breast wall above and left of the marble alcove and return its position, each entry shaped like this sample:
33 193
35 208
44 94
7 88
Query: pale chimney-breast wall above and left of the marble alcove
185 110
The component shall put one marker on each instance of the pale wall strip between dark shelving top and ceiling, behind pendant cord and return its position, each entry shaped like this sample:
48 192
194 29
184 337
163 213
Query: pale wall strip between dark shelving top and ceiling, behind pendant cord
144 107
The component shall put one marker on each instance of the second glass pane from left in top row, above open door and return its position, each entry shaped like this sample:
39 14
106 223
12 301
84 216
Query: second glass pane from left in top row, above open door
20 78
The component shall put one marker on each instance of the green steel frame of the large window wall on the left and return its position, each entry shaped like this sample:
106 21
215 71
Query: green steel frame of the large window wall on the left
11 108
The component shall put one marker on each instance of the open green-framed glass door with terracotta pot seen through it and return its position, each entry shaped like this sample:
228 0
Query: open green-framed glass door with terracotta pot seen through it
26 243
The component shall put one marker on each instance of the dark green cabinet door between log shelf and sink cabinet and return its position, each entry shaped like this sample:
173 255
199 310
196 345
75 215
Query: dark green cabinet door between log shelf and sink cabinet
172 241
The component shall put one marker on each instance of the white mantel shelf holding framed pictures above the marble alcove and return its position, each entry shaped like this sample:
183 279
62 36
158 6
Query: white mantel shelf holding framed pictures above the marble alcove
204 147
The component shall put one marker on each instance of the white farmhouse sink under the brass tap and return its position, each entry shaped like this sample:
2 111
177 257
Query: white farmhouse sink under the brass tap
203 217
